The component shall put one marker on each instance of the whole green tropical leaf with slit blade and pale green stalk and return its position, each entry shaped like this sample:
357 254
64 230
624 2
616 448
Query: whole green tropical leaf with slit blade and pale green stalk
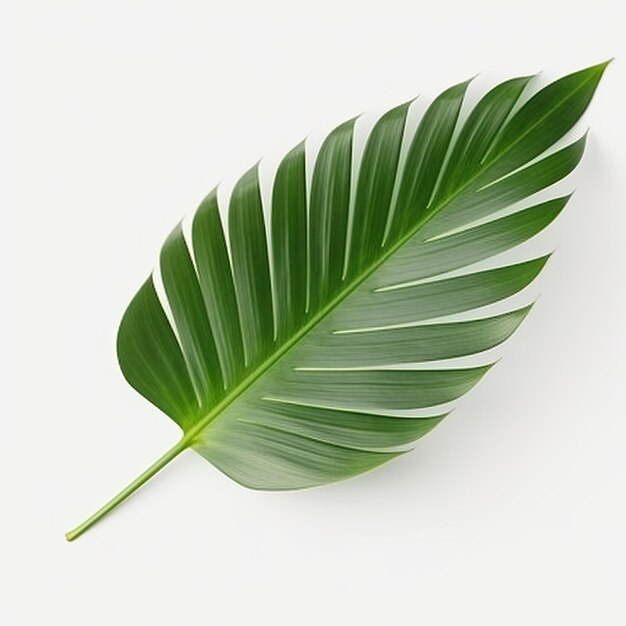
285 348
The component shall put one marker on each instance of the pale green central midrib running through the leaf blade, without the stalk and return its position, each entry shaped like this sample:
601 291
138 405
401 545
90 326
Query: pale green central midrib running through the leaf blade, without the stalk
189 437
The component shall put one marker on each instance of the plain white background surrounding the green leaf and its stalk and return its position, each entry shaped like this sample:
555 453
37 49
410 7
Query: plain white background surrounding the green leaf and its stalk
116 118
